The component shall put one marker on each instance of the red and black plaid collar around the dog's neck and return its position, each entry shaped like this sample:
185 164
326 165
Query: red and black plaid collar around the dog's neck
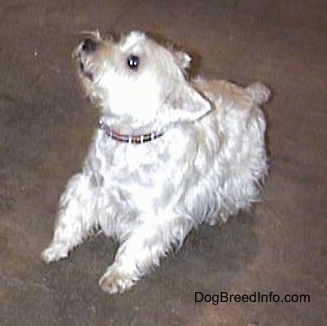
131 139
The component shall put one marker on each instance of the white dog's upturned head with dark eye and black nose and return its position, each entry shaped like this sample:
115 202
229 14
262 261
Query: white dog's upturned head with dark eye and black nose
137 80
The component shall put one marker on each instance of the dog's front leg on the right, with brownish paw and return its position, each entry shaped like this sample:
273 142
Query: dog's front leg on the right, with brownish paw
143 250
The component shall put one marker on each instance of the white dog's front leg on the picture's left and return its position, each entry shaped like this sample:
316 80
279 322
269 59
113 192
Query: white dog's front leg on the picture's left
76 218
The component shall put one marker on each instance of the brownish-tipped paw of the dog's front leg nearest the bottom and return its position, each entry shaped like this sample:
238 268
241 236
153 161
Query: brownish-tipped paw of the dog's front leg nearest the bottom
115 281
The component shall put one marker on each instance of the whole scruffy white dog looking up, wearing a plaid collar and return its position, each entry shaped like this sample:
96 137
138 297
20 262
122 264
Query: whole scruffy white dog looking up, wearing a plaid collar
168 155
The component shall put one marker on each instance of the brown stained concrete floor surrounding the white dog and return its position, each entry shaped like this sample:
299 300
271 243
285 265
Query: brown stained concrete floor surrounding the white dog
46 125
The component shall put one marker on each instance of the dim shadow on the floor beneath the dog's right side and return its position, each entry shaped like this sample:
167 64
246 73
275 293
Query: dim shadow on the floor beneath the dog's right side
212 257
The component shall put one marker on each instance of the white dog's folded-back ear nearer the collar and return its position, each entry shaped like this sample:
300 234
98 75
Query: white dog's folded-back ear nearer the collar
186 104
